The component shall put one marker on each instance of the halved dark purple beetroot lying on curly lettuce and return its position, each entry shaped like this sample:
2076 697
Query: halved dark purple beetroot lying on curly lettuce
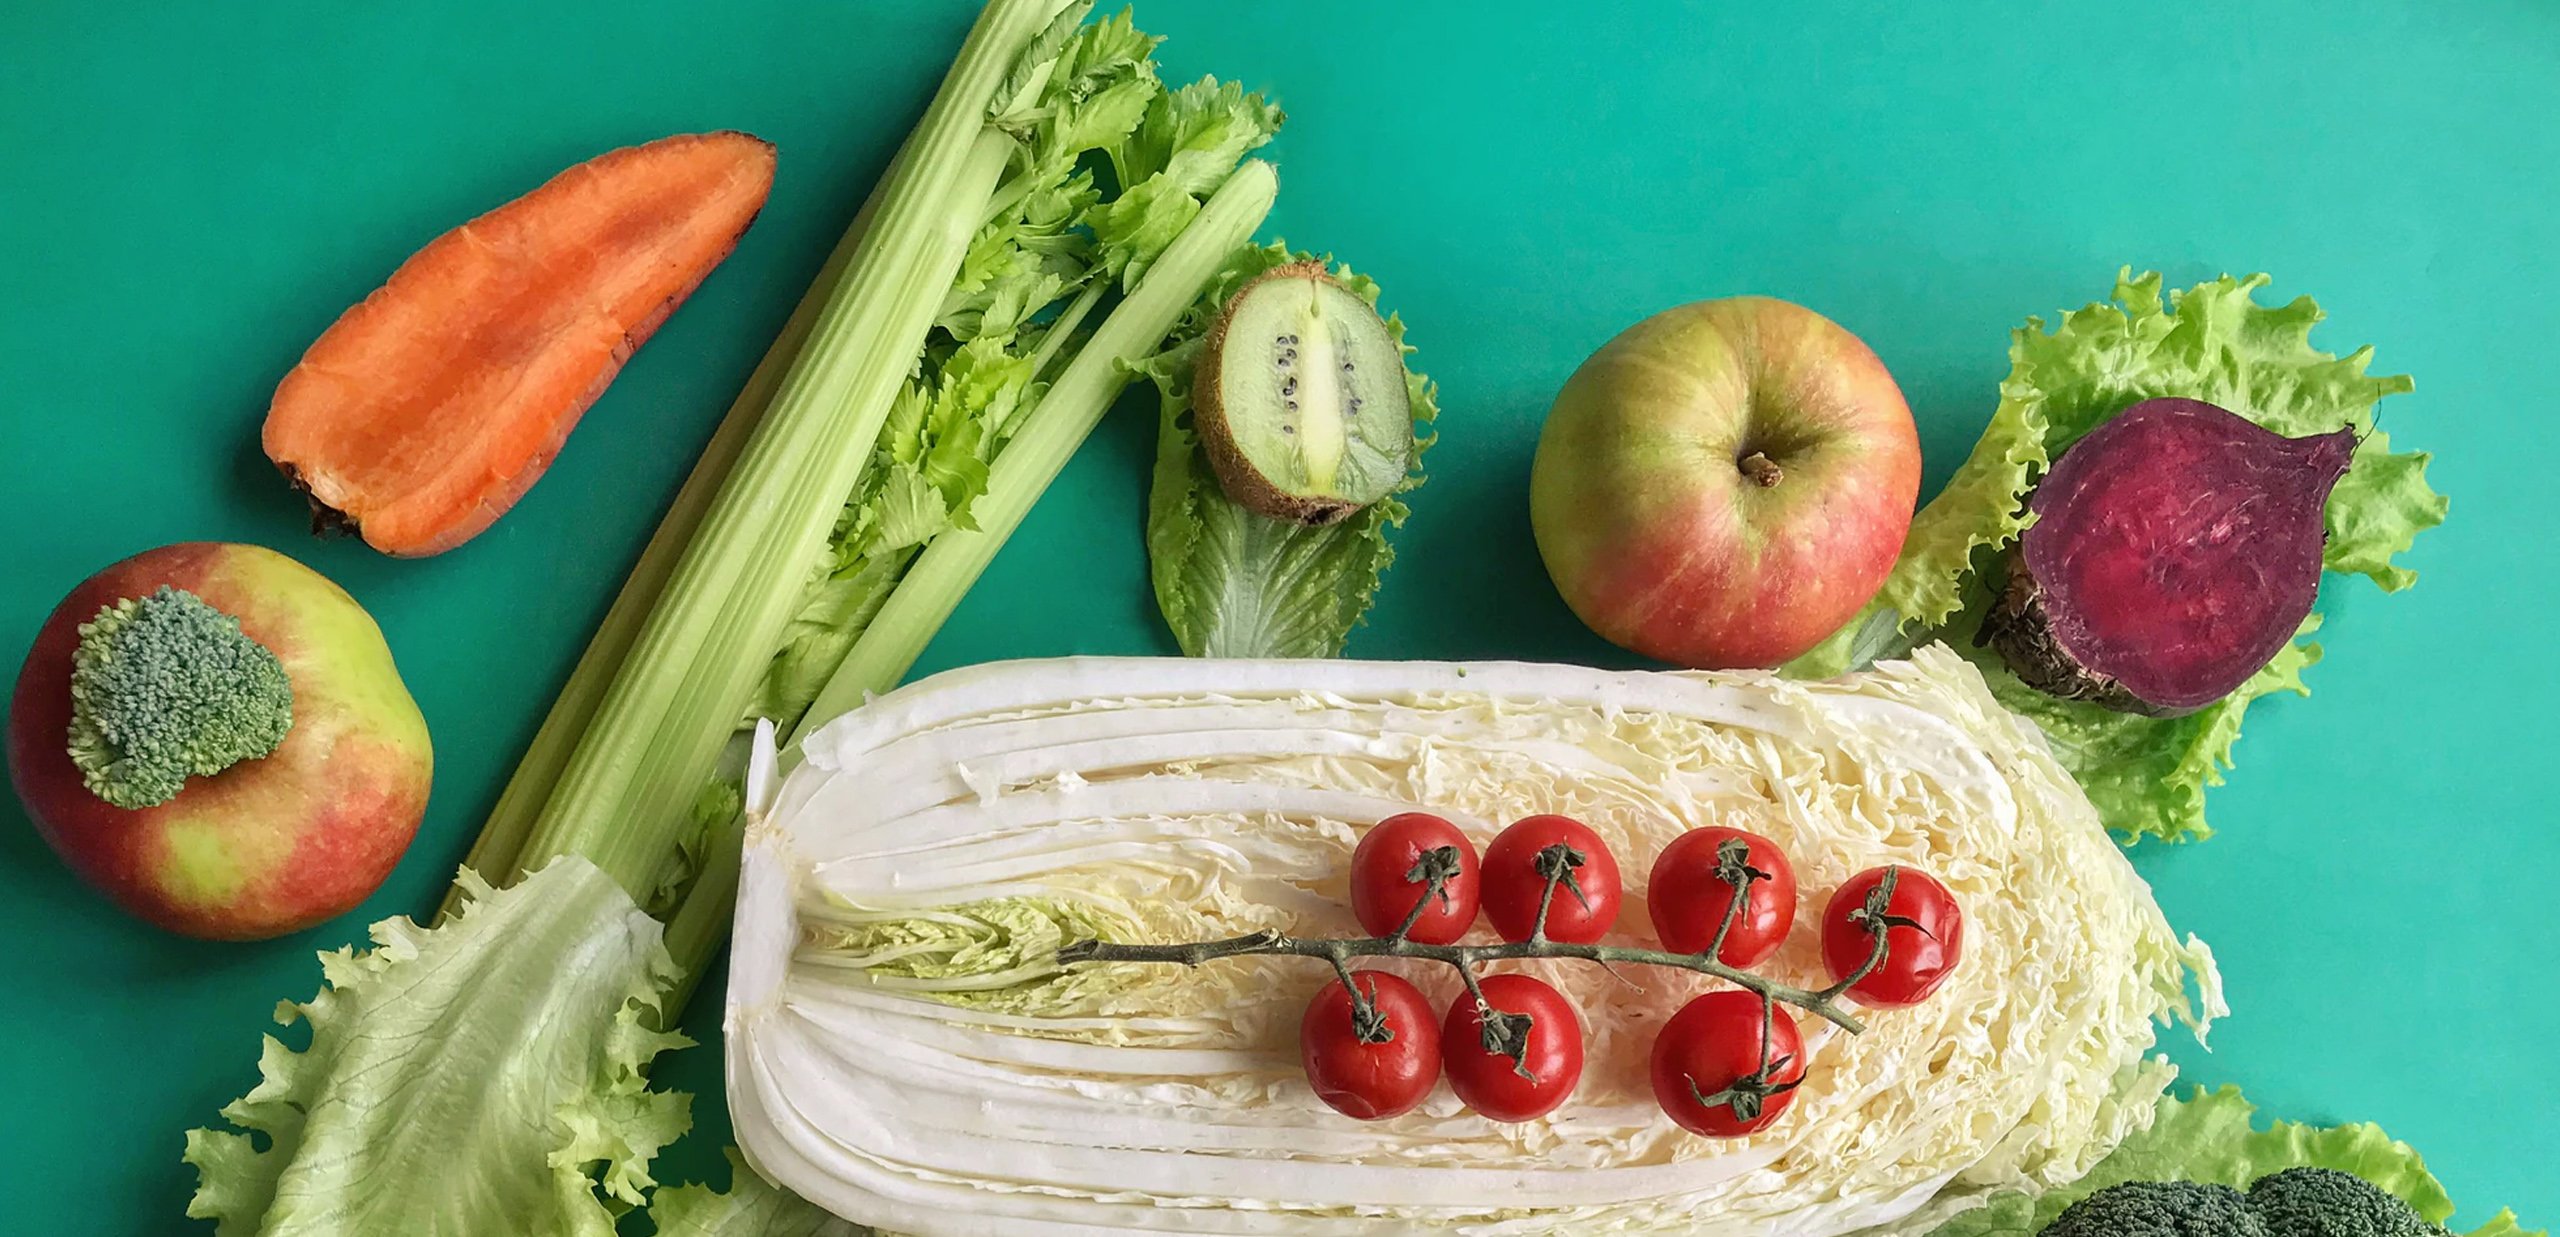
2175 552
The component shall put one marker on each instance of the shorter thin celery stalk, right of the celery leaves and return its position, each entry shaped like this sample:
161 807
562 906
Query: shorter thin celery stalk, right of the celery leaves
1048 437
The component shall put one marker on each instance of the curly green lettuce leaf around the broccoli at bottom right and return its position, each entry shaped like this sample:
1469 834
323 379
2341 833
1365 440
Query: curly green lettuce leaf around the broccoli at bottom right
2213 1138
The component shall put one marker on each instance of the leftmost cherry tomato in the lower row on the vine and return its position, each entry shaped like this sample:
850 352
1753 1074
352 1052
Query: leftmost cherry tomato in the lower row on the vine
1371 1079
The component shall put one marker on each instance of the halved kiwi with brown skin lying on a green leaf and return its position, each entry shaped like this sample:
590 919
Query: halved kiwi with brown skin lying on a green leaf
1302 398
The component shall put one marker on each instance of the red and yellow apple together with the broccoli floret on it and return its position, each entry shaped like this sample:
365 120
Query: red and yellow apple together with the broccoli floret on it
214 841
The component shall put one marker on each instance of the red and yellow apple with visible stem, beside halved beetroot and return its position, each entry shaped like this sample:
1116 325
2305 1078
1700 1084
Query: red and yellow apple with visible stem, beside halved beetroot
1727 483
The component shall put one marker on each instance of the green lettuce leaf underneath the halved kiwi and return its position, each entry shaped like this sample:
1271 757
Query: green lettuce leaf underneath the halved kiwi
1238 585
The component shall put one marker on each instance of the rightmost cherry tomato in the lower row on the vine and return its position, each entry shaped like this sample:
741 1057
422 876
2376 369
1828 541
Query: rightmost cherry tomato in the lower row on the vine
1714 1049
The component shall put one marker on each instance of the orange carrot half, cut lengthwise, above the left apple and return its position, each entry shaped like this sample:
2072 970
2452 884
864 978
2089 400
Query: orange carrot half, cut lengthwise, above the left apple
431 406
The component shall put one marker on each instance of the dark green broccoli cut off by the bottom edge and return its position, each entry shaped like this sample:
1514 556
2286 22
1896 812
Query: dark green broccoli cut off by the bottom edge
2298 1202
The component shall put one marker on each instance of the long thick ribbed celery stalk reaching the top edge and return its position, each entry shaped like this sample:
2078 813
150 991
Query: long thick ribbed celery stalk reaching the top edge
623 795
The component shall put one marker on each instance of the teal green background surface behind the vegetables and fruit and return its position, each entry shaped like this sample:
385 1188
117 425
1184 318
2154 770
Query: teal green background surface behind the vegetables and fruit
191 193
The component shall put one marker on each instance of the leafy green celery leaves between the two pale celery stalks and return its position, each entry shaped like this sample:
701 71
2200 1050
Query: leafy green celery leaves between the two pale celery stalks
1028 283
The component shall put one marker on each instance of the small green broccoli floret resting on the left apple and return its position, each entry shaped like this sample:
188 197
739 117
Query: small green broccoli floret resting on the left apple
168 688
